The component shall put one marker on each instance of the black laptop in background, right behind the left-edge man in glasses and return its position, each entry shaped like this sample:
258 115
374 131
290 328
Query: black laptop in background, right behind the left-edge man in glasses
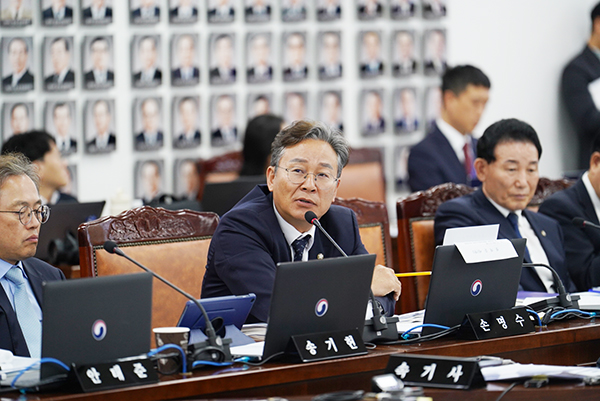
65 218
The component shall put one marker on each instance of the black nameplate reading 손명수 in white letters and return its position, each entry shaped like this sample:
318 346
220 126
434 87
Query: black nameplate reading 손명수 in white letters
494 324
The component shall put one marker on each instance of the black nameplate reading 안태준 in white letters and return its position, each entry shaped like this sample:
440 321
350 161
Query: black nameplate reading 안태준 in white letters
116 374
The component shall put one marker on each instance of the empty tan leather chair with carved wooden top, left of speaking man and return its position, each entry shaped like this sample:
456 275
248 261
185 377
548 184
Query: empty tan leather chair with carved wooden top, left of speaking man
174 244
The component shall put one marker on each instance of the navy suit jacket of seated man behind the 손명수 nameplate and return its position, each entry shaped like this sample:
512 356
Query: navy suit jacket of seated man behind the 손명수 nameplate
475 210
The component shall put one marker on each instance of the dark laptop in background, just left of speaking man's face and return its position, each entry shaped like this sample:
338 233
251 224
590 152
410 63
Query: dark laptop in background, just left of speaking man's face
219 197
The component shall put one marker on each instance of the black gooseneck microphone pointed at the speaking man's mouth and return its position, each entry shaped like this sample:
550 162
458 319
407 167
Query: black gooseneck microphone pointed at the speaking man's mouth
379 329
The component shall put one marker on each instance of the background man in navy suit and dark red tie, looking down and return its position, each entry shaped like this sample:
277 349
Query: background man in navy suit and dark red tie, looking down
448 151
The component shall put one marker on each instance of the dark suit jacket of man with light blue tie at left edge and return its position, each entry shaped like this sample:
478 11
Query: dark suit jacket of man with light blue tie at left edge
11 336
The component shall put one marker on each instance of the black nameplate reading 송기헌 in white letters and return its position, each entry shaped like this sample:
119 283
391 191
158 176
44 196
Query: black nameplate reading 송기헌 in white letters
329 345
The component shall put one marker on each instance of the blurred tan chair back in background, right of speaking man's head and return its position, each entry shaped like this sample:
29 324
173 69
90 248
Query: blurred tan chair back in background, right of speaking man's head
364 175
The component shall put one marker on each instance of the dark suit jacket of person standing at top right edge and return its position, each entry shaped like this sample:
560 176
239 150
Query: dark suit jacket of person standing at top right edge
581 108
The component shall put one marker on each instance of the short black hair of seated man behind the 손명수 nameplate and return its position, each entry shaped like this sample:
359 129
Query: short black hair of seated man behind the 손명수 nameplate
508 130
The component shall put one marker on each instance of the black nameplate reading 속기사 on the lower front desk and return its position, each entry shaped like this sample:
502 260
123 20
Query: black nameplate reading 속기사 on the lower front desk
436 371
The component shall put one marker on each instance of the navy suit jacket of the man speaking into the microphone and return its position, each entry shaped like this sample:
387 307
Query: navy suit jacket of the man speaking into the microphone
248 244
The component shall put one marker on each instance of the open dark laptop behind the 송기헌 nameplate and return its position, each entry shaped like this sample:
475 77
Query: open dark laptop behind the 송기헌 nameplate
299 287
